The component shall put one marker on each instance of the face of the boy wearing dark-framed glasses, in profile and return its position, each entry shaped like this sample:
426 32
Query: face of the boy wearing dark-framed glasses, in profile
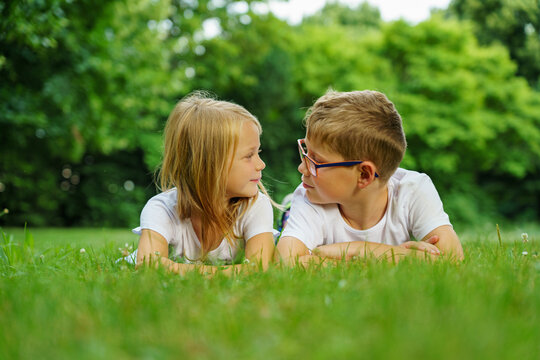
332 184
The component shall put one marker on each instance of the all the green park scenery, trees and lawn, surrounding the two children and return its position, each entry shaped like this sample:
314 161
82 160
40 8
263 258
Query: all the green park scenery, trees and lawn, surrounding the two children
85 90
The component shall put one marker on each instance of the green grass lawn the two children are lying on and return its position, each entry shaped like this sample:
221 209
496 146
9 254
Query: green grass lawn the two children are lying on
69 304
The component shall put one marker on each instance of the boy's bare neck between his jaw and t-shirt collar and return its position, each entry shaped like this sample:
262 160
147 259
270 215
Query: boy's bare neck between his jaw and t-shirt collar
366 209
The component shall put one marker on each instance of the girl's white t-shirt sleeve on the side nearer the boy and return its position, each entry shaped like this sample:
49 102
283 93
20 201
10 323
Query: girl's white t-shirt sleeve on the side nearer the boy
259 218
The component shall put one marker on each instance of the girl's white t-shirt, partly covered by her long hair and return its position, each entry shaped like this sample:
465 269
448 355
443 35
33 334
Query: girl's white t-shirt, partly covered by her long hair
160 215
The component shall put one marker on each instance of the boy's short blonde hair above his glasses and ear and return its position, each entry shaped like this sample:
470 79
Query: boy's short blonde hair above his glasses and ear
359 125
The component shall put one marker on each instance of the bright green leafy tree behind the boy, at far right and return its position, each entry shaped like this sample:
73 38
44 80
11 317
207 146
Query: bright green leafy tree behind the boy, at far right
470 122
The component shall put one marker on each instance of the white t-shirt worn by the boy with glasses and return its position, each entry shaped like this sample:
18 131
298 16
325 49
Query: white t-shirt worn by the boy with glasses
414 208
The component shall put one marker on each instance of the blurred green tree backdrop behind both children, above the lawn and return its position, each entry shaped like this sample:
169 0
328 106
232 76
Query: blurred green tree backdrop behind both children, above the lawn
86 87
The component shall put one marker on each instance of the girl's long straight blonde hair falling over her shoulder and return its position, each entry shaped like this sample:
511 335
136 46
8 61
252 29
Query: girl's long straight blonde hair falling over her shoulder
201 137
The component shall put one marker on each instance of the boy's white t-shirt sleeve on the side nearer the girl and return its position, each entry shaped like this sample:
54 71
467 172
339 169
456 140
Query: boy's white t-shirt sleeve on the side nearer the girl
305 222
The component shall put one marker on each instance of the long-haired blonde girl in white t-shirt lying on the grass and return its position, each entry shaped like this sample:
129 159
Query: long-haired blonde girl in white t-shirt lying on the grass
210 177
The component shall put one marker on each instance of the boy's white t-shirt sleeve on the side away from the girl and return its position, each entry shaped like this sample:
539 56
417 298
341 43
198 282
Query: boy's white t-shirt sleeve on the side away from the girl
426 209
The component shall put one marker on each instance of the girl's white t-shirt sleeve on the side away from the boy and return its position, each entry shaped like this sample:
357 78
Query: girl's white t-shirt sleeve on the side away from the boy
159 217
